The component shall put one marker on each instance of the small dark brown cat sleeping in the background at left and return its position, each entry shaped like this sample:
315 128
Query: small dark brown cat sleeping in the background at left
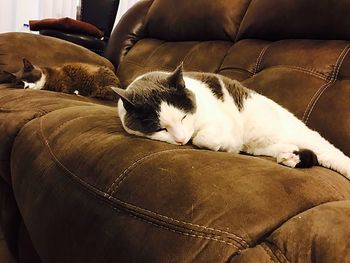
72 78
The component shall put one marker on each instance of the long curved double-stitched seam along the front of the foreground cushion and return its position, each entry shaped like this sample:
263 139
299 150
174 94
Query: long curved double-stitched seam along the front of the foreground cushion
99 193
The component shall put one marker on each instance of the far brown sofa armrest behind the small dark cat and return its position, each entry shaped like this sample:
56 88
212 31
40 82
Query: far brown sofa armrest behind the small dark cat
43 51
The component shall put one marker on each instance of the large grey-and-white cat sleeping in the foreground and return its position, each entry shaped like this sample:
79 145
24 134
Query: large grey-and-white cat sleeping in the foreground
220 114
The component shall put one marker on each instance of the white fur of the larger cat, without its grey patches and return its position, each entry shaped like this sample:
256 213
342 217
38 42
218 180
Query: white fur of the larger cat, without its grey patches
262 127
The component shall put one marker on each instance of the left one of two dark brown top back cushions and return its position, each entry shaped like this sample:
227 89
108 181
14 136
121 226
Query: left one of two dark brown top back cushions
195 20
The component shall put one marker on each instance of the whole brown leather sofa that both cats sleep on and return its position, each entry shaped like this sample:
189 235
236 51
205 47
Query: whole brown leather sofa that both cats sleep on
76 188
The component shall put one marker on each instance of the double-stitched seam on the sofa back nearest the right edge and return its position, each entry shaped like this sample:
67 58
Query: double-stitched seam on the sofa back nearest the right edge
322 89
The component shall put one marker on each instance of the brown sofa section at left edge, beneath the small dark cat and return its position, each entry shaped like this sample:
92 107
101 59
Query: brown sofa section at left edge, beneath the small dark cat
17 108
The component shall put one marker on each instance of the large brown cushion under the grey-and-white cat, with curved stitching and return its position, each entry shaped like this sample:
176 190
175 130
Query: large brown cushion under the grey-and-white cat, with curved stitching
125 197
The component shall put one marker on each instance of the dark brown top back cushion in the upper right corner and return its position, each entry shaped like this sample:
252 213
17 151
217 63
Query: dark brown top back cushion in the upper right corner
286 19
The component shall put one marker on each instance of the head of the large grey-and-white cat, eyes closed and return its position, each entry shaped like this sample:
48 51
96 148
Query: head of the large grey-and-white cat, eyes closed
158 105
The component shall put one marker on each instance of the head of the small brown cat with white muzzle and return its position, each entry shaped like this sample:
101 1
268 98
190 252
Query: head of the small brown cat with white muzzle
29 76
